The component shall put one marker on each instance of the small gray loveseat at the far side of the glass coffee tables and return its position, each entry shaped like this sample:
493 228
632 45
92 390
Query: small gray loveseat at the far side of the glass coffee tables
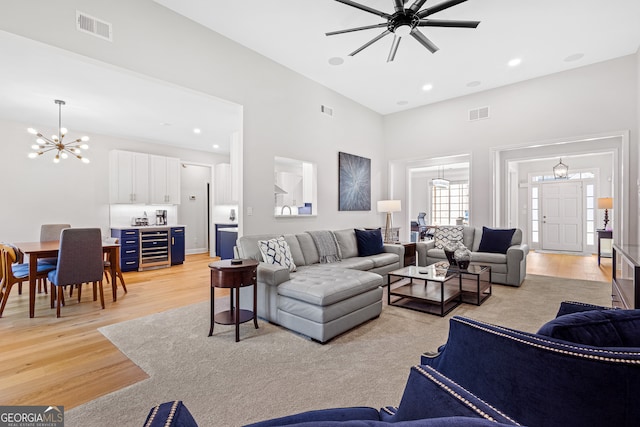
508 268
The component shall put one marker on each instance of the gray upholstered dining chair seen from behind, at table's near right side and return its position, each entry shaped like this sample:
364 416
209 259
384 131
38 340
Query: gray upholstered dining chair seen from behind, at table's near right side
79 261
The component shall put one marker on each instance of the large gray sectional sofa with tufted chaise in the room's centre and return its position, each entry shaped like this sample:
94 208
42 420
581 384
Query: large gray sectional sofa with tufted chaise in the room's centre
318 300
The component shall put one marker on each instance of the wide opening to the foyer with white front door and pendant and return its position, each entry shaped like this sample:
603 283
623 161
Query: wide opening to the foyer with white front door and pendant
527 191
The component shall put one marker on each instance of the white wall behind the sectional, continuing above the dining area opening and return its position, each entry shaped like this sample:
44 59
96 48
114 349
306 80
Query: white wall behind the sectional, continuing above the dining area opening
281 108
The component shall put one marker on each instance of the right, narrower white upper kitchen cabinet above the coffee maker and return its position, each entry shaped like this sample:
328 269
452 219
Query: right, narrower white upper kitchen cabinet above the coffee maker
164 180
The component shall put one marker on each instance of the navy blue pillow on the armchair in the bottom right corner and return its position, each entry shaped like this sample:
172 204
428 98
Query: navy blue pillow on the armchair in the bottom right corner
599 328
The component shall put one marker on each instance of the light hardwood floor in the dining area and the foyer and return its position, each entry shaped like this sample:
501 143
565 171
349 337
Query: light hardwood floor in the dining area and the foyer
67 361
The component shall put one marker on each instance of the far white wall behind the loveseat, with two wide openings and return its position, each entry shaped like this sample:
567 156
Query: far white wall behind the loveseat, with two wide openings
595 99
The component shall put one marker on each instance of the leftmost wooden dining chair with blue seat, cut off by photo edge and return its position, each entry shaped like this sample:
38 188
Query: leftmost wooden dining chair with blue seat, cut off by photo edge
14 272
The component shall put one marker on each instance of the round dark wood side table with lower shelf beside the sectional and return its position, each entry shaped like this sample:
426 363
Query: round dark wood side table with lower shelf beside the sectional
224 274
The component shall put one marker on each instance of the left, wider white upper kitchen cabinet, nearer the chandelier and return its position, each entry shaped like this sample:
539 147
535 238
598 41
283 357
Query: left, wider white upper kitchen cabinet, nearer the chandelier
128 177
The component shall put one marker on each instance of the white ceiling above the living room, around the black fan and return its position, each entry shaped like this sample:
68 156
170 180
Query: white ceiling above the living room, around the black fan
548 36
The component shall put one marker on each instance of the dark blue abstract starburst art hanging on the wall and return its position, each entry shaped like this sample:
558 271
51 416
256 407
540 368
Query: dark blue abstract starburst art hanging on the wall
354 182
